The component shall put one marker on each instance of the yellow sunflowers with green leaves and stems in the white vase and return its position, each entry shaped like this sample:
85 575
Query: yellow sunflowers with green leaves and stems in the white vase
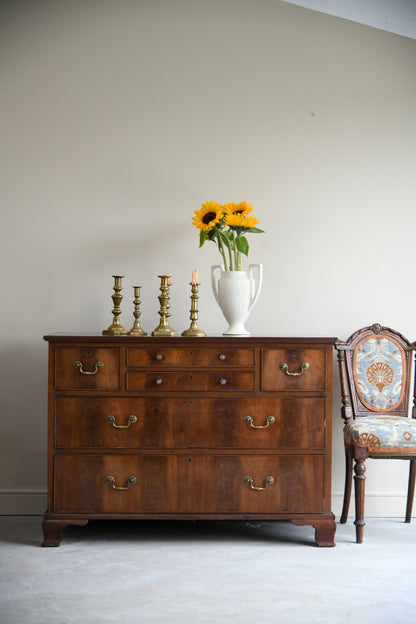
226 225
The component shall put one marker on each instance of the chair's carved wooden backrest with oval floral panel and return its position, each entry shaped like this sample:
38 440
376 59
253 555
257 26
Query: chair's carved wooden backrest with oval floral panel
375 368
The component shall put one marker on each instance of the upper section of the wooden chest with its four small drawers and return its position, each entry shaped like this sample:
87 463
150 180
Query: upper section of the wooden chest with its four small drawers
188 365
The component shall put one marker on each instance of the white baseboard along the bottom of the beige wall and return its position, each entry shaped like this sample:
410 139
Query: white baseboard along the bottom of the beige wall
32 502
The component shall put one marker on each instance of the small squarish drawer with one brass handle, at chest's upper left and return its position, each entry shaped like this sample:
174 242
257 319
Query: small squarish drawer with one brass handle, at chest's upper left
87 368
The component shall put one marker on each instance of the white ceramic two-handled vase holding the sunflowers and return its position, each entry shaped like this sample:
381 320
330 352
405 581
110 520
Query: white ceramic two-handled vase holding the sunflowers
236 293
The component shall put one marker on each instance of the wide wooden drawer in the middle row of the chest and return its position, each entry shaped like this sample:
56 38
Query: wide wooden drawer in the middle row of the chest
99 422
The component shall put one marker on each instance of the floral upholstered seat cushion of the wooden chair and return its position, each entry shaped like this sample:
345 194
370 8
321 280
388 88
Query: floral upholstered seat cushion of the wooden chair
382 433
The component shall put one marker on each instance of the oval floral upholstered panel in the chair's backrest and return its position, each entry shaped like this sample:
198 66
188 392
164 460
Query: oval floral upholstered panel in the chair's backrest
379 365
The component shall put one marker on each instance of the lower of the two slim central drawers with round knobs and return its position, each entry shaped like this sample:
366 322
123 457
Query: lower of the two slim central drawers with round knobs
165 381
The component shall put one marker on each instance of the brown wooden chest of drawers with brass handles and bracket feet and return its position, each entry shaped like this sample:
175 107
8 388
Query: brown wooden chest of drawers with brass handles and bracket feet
192 428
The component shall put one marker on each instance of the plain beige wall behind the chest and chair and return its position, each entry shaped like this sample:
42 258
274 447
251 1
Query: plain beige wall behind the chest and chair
118 119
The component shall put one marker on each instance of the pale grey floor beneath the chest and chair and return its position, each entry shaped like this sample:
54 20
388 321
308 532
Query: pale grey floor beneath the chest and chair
205 573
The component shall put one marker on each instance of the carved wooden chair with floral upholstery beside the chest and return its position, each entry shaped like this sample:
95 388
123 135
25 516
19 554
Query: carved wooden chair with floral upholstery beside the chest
375 368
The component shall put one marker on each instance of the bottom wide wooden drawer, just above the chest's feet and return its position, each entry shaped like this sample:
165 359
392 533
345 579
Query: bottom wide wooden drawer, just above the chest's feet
188 484
